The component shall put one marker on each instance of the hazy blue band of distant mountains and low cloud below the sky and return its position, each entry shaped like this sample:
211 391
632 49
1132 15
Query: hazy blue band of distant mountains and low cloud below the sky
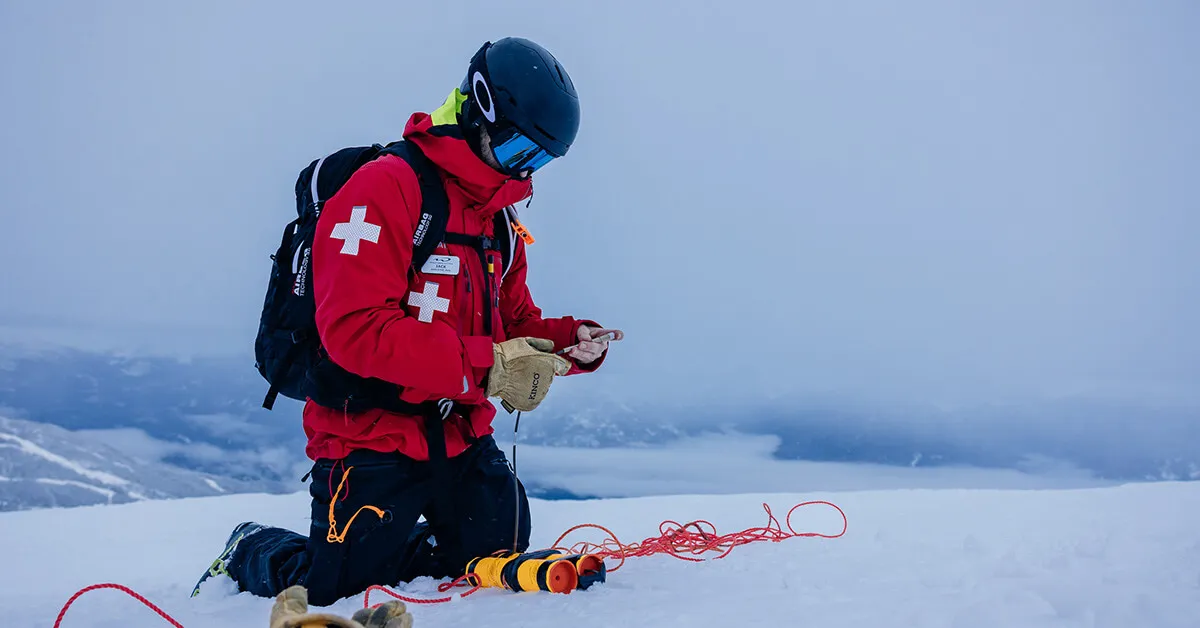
205 416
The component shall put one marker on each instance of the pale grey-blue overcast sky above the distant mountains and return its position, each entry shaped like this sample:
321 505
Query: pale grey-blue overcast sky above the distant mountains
931 201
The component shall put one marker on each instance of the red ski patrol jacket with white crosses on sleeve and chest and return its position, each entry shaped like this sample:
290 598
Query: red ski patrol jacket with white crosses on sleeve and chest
424 332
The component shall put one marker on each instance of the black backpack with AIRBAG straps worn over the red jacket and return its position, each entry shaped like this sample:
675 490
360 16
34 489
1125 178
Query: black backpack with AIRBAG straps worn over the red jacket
287 351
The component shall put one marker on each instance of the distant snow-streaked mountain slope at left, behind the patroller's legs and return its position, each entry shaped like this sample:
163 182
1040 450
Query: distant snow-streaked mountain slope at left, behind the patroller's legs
47 466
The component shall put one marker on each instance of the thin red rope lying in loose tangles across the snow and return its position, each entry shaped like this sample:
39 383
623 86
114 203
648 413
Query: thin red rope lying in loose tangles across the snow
687 542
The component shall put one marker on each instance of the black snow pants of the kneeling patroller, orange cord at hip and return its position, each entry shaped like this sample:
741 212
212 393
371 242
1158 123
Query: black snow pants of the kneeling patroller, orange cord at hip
475 515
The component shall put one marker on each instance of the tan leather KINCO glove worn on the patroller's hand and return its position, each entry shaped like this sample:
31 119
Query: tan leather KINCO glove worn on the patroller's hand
524 370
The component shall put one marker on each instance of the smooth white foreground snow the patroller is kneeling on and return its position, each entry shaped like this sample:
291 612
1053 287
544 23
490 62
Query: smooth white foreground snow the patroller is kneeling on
1090 558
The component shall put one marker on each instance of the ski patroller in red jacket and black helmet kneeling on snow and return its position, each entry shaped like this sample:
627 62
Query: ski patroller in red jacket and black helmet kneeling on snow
454 333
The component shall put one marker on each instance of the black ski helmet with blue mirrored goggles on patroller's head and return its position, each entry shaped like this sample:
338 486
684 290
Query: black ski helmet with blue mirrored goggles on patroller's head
526 100
